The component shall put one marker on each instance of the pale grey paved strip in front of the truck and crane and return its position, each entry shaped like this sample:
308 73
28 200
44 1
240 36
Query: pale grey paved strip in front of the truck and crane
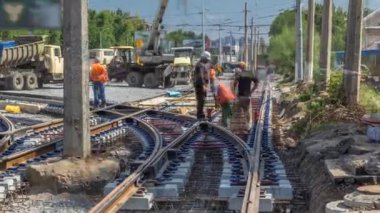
115 92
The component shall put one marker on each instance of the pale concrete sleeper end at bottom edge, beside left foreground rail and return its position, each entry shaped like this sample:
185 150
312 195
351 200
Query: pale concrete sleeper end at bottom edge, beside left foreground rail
144 202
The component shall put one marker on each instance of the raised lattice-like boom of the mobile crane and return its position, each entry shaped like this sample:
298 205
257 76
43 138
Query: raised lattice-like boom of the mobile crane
154 37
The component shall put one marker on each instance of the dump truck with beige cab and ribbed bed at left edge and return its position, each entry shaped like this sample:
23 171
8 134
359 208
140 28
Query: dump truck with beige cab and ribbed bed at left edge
27 63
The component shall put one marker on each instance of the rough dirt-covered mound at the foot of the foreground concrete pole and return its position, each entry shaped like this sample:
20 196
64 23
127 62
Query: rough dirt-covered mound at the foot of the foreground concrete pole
72 175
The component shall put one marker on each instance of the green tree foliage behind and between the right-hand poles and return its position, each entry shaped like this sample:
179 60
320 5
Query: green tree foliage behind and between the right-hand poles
281 49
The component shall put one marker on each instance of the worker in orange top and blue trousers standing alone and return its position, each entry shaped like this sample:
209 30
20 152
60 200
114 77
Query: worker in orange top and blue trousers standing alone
99 77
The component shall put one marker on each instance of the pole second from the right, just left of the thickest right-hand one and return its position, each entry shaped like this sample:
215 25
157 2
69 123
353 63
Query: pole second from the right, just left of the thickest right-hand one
325 53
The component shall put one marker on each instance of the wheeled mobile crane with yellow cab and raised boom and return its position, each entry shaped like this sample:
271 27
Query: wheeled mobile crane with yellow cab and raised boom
151 68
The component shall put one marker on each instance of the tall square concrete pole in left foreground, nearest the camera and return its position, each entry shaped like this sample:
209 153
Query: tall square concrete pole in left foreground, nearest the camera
76 98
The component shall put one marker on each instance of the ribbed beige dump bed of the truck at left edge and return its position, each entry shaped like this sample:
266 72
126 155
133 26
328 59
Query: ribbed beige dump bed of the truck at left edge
27 49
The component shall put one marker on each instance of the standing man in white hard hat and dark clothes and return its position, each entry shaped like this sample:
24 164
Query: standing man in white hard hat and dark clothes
201 82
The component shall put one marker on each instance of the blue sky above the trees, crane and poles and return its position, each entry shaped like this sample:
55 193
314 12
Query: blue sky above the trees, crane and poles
180 12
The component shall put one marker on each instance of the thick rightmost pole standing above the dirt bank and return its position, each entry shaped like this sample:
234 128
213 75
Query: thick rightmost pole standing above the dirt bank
353 52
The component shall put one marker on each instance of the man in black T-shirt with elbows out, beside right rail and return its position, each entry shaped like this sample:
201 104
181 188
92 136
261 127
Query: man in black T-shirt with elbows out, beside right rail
243 84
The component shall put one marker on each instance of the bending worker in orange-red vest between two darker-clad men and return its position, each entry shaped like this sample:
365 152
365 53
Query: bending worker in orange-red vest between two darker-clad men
225 98
